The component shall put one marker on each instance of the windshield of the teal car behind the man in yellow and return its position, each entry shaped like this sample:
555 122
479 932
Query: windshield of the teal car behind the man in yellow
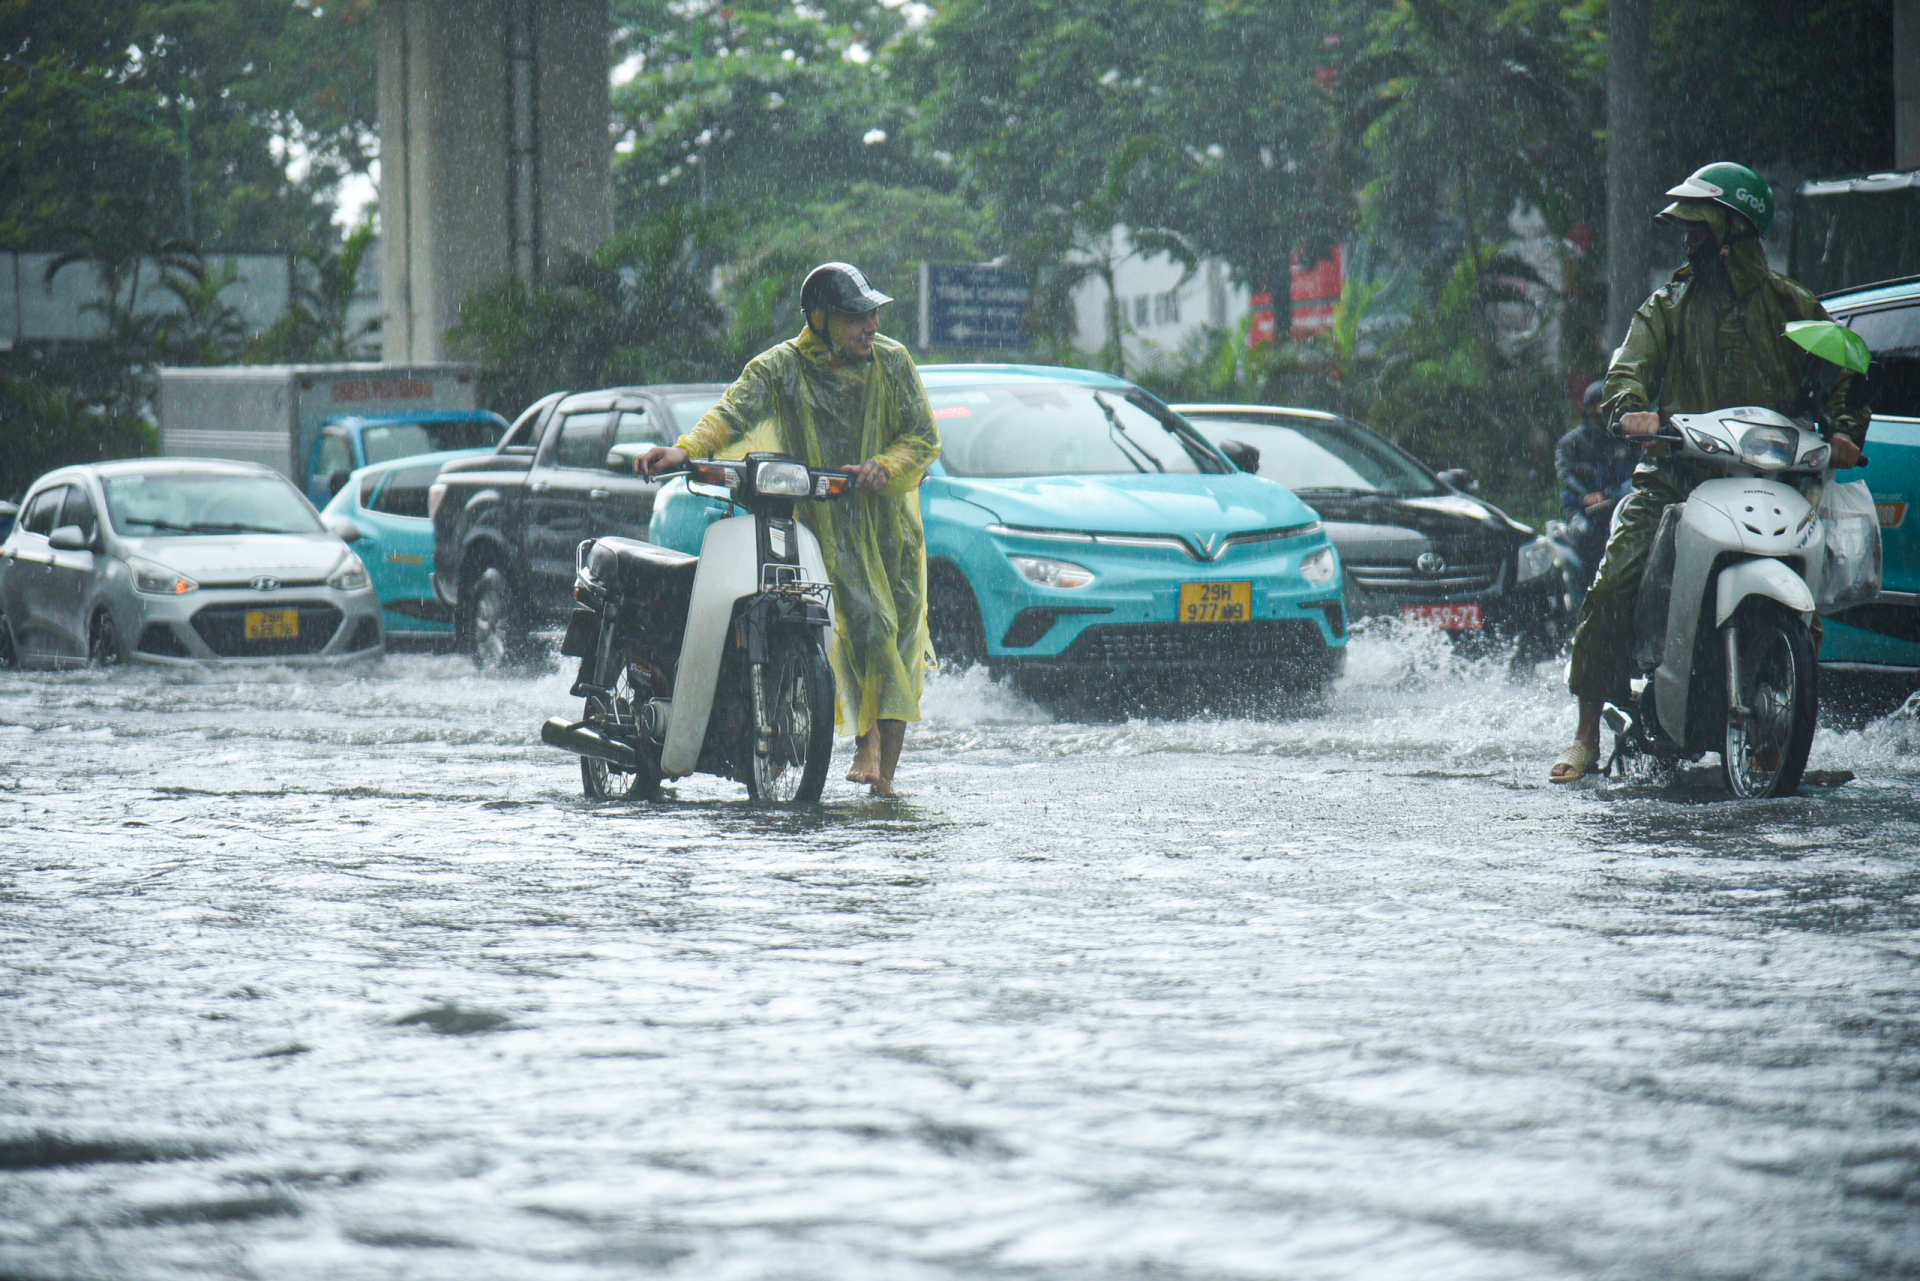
1053 429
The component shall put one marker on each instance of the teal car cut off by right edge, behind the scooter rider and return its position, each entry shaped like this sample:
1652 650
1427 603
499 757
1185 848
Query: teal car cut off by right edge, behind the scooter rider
1883 639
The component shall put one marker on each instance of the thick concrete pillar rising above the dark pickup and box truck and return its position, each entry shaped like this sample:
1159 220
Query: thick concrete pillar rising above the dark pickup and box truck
494 153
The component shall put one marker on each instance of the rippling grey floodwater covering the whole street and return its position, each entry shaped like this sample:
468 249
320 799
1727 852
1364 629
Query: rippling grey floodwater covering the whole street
335 975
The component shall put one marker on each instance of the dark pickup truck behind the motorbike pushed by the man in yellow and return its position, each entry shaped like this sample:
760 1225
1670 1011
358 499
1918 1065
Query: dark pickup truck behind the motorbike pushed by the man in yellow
506 523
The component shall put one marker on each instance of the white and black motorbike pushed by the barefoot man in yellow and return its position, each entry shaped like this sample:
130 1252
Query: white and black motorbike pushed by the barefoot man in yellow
713 664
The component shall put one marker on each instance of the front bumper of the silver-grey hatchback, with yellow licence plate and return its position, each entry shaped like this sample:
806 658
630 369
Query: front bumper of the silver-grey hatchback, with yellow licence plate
237 625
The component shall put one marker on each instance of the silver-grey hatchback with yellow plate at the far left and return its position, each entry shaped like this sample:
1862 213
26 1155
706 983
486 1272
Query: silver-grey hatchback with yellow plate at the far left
176 562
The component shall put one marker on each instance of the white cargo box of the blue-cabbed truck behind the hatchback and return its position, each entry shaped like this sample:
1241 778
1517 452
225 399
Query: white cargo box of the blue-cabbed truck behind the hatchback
274 414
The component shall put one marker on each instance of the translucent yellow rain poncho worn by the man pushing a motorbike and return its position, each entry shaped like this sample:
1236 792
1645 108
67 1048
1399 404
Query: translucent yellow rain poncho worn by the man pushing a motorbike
788 400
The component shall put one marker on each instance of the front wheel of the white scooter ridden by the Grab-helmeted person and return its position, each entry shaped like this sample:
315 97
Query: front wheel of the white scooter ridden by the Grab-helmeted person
1765 752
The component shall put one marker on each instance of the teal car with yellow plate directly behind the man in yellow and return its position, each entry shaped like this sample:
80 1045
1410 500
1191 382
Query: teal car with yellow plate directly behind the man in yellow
1088 541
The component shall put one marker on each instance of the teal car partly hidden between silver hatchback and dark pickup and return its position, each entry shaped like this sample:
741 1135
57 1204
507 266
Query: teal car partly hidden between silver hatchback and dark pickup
381 512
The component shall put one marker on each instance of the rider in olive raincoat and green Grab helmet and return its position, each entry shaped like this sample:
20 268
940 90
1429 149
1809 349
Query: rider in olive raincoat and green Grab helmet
1710 339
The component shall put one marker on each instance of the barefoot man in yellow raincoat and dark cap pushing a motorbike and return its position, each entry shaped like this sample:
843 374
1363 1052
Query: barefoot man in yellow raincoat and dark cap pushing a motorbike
840 395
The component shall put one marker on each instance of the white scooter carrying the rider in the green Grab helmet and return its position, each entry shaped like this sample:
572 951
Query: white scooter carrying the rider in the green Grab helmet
1723 627
